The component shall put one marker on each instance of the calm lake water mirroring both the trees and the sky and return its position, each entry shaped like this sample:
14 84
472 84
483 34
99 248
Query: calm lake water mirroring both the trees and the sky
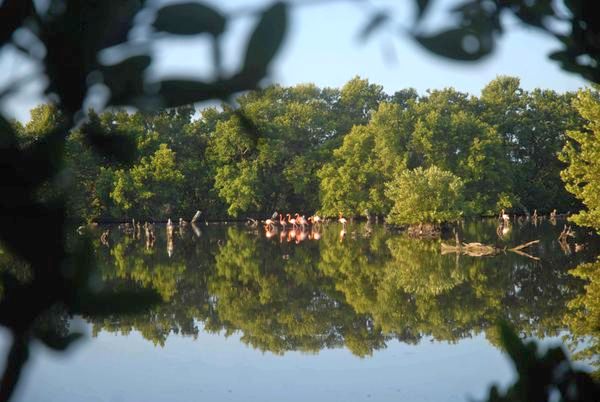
373 316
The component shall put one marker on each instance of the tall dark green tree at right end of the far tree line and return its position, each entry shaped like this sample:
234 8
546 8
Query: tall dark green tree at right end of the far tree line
532 127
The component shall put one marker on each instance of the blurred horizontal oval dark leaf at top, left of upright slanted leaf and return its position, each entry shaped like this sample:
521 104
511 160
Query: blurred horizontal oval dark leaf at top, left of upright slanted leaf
189 19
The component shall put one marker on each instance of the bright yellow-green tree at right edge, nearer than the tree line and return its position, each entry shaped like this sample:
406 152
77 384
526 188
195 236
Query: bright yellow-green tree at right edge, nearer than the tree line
582 154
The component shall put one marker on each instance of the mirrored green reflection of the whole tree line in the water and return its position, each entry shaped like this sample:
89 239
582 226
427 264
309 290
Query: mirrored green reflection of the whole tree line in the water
359 293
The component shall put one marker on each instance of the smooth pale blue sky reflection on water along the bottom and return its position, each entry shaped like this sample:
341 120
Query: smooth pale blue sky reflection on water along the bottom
215 368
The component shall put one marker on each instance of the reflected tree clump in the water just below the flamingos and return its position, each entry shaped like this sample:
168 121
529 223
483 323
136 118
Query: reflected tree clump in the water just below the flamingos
284 304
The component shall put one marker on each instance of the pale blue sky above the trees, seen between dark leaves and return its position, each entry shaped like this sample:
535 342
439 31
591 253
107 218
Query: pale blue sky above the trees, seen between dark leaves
322 47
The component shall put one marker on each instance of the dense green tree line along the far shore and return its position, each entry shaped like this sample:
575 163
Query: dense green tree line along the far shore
305 148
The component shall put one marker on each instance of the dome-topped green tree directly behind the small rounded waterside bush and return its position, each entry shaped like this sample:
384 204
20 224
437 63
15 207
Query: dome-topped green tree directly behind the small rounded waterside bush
450 135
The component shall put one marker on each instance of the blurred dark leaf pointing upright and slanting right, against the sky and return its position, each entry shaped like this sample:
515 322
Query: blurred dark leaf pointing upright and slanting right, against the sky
266 40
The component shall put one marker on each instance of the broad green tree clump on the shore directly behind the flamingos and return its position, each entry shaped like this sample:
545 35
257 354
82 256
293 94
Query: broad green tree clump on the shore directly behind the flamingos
301 128
